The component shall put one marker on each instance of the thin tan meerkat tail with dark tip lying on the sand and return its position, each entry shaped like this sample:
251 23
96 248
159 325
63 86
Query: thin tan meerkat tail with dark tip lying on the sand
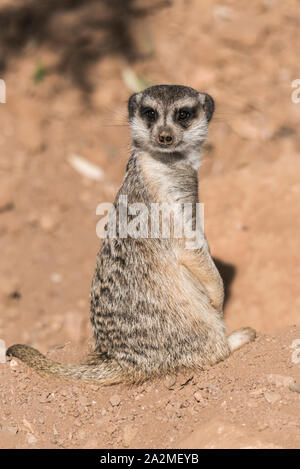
105 373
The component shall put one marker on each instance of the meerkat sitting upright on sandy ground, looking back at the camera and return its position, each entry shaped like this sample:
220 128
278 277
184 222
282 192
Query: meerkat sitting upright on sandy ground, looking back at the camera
156 306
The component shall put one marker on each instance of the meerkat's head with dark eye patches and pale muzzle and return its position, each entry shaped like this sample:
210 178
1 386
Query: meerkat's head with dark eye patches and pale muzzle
170 119
